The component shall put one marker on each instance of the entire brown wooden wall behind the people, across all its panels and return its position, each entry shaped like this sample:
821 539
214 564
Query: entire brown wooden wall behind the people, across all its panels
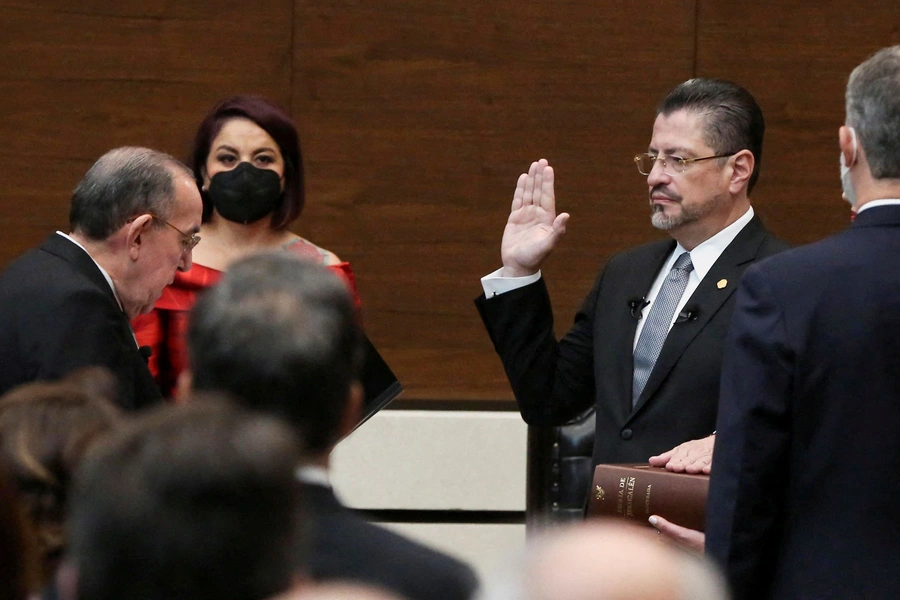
416 118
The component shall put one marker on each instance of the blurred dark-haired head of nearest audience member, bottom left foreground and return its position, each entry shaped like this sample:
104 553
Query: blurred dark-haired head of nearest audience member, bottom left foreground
197 501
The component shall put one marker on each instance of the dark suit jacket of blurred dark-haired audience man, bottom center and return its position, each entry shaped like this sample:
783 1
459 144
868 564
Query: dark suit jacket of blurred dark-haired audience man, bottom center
346 547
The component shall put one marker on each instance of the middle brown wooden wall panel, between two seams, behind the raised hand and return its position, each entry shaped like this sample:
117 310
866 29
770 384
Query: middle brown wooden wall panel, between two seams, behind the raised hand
418 116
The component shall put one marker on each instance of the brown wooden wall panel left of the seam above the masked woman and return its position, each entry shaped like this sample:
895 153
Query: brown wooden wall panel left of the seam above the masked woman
77 82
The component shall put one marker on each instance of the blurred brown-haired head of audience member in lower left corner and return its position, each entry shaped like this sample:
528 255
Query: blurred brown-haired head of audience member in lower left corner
45 430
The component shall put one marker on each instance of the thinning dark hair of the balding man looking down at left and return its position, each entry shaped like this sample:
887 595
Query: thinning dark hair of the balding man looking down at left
124 183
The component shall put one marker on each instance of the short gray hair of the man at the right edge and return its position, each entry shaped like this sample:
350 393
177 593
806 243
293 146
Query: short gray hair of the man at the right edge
873 109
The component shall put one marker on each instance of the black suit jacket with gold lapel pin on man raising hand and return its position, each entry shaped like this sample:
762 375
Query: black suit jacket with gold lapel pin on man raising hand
593 364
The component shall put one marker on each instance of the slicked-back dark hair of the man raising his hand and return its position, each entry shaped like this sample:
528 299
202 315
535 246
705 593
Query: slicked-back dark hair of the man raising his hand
732 118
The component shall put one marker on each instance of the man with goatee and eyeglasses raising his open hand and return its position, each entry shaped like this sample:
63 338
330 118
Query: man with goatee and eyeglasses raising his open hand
646 347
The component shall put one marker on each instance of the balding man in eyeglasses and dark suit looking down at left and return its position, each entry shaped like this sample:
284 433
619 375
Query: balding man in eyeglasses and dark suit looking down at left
67 304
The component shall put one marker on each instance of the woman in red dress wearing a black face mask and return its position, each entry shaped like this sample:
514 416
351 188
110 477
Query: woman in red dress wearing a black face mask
247 163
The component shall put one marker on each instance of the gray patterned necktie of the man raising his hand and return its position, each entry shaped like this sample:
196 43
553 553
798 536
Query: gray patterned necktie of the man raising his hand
655 330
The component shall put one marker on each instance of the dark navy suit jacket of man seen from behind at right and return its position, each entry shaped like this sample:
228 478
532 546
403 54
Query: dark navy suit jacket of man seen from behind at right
806 479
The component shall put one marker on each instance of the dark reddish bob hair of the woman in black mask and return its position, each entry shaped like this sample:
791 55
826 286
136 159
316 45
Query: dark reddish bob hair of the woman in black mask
274 121
